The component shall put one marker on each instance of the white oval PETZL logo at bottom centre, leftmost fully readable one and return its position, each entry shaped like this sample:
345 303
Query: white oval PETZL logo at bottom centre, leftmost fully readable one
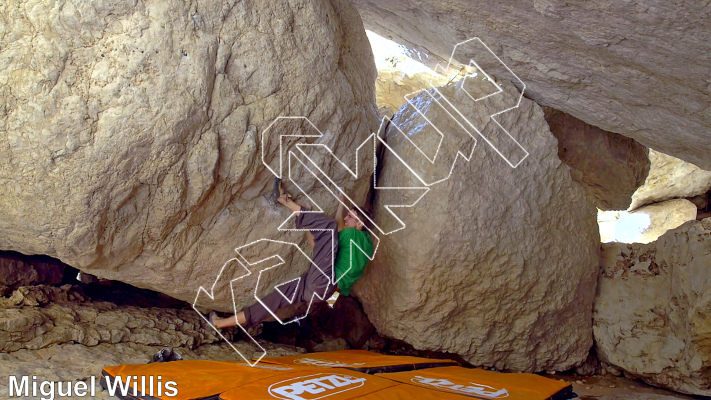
314 387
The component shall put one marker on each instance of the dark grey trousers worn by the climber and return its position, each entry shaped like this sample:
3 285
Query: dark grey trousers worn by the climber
313 282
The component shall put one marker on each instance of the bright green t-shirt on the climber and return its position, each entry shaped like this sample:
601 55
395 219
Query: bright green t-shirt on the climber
347 272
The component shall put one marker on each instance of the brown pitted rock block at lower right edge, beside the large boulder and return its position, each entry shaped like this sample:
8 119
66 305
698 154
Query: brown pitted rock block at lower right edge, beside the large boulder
652 311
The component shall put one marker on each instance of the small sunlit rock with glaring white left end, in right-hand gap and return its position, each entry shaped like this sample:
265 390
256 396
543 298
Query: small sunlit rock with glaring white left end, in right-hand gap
648 223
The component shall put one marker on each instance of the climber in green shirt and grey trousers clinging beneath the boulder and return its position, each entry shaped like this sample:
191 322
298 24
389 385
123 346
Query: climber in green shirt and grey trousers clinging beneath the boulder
350 228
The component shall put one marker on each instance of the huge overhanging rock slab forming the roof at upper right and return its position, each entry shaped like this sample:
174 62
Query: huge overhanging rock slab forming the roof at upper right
635 68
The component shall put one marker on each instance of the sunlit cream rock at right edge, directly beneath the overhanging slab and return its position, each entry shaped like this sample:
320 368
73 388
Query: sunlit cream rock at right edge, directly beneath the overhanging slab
670 178
